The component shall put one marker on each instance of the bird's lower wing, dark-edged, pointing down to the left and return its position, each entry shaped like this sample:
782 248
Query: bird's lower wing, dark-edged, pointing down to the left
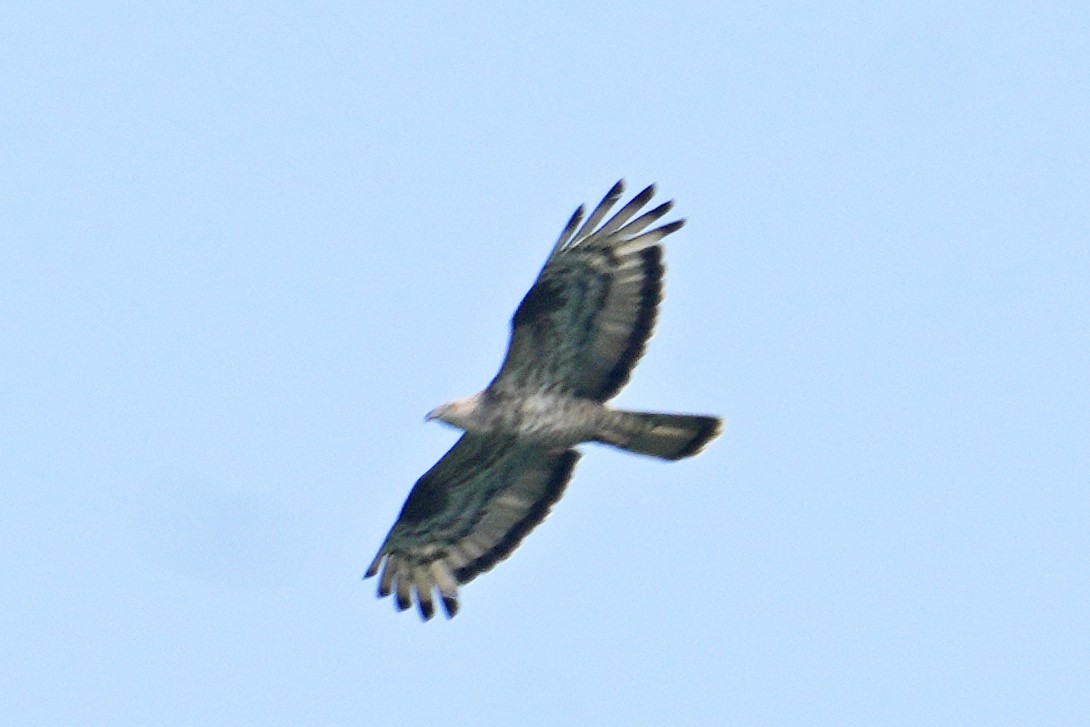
466 515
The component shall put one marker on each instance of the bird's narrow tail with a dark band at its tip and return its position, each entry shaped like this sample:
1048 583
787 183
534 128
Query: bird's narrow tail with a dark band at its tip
667 437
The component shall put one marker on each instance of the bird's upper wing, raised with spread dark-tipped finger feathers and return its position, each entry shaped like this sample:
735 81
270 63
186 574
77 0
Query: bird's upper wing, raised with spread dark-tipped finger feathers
588 318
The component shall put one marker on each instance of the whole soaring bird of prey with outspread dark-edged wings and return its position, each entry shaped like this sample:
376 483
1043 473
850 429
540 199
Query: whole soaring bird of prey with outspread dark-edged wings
576 338
